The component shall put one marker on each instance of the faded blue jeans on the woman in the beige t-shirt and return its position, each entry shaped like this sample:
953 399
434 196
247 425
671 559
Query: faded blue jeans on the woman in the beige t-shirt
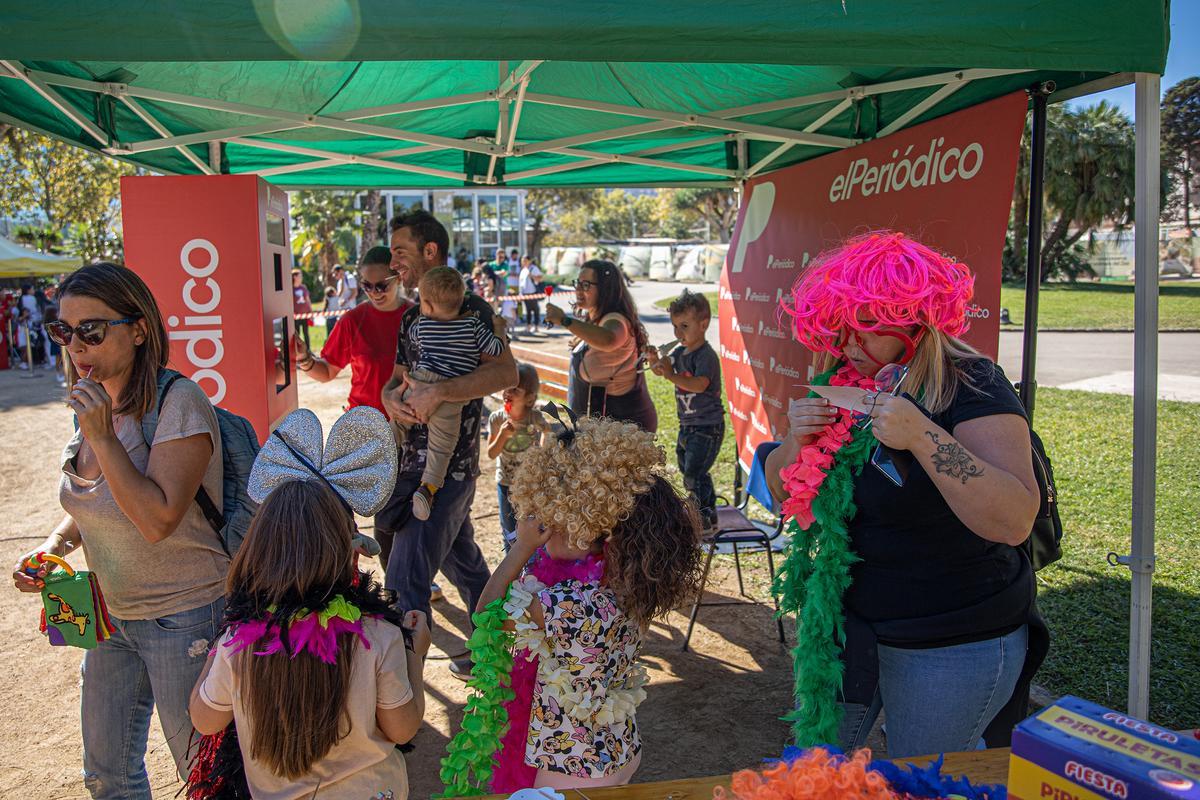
147 664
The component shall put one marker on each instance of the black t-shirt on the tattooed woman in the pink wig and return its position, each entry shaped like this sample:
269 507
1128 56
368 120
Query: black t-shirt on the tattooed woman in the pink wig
926 580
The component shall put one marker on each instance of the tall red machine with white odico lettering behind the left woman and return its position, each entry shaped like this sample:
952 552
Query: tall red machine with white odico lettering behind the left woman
214 251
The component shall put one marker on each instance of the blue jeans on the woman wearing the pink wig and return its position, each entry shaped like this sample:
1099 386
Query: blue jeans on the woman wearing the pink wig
939 700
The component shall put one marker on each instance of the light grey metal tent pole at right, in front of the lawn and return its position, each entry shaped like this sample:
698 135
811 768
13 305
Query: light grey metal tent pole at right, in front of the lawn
1145 399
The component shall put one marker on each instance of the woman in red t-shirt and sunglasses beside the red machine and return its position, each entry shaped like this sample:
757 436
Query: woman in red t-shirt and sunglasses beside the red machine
365 341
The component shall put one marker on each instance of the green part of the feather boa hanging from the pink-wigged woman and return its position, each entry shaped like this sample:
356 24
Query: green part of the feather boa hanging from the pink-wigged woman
811 585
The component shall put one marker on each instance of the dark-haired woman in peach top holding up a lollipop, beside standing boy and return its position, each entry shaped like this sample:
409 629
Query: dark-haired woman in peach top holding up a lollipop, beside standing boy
605 380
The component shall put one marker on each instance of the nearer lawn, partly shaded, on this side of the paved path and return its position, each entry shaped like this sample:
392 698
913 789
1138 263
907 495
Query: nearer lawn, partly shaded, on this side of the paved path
1085 601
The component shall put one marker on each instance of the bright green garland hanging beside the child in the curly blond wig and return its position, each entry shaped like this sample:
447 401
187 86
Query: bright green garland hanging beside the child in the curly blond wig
471 755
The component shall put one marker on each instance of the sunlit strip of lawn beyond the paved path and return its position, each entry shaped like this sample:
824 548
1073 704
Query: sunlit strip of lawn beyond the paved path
1089 306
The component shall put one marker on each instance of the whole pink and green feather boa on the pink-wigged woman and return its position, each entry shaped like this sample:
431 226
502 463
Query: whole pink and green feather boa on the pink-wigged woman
815 574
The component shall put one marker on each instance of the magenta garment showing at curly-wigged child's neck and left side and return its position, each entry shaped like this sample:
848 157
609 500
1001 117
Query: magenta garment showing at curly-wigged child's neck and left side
512 773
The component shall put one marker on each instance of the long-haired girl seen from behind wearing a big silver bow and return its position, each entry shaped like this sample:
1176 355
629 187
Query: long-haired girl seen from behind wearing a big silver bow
321 677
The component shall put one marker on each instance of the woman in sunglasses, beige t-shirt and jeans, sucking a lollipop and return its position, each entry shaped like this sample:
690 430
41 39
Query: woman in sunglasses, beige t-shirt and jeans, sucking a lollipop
130 506
